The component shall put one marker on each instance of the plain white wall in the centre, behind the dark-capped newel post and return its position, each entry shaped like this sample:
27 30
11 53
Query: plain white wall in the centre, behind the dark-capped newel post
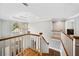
44 27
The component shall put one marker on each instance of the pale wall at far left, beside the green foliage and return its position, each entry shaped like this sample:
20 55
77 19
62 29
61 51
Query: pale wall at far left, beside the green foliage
5 27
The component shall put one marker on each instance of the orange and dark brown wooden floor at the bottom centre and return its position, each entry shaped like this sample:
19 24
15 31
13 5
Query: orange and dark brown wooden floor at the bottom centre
31 52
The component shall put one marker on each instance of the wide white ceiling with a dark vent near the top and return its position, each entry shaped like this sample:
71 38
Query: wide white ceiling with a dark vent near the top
38 11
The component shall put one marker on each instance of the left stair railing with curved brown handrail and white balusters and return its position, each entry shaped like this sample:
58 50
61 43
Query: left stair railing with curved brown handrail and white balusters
16 45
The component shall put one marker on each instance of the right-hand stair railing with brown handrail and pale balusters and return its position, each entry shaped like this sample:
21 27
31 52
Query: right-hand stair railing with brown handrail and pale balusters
67 43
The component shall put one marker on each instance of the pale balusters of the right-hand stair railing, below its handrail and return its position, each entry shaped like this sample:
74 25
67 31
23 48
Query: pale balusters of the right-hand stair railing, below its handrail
67 43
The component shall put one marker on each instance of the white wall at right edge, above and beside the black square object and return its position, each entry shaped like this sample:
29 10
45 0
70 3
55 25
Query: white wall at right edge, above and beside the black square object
73 24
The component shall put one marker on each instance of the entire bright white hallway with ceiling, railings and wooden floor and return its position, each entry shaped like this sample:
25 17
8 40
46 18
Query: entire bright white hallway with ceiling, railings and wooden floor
39 29
